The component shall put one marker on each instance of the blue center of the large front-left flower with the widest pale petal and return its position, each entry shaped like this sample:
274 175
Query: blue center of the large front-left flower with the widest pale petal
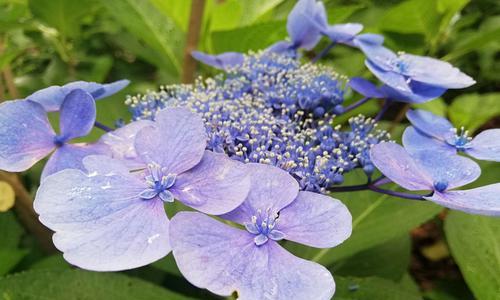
158 183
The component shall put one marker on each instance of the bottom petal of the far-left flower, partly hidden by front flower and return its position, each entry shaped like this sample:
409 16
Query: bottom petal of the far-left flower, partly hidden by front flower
70 156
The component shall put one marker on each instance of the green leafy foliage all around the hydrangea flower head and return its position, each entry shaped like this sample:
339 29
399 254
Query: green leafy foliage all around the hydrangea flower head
390 255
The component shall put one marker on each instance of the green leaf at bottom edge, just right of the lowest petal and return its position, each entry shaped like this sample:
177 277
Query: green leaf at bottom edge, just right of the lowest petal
371 288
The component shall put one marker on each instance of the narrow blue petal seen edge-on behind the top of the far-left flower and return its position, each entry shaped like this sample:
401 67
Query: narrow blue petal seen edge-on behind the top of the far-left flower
51 98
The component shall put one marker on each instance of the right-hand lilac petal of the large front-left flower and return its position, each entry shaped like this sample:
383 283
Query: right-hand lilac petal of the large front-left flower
216 185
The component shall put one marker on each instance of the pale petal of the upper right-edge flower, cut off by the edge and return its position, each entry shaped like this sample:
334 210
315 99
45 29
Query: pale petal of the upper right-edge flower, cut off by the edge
486 145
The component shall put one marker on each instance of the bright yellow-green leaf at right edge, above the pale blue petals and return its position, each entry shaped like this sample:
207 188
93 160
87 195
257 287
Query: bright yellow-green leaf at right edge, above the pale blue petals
473 110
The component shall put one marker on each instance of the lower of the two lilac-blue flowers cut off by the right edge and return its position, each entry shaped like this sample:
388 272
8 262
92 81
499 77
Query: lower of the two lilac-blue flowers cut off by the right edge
440 173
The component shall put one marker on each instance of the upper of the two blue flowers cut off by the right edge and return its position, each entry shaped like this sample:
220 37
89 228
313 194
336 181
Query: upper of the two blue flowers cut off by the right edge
434 132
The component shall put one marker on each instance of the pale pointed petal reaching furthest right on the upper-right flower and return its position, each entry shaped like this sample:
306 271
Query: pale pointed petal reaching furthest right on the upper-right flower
436 72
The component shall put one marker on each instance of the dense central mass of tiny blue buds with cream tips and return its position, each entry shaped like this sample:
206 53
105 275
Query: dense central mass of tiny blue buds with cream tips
271 109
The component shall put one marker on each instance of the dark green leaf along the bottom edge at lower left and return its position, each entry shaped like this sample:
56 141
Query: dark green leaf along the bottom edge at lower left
81 285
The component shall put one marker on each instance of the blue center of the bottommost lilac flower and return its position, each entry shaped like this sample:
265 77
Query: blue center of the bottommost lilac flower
263 226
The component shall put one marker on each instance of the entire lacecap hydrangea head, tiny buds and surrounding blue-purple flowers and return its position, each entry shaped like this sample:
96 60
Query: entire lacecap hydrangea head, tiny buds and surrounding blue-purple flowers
255 146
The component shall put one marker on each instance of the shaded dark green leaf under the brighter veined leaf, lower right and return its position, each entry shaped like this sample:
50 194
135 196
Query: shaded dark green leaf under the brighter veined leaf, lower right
389 260
